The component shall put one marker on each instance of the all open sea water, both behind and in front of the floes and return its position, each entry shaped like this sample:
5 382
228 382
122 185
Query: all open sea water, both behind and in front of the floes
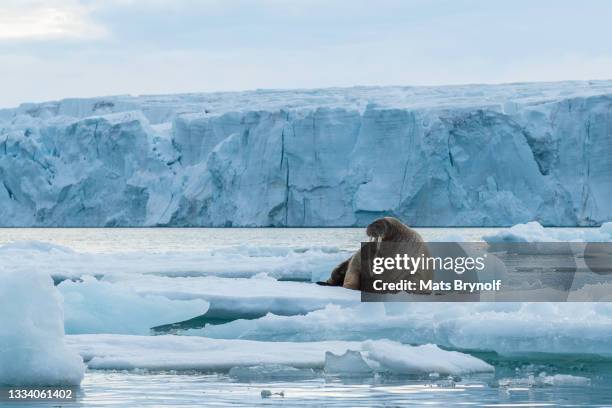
517 381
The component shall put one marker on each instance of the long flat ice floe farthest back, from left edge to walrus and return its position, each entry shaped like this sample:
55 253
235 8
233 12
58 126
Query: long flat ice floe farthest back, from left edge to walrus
237 262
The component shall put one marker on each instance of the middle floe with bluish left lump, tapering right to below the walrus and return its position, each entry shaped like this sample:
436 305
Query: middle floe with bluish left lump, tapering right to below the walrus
133 304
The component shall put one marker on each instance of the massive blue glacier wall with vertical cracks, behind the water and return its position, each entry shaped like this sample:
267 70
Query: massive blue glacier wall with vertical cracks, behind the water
471 155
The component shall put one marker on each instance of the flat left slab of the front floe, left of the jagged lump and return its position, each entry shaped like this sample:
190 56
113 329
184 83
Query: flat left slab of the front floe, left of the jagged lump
171 352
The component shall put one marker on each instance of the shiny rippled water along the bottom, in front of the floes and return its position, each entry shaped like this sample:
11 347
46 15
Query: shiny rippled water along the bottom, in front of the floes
124 389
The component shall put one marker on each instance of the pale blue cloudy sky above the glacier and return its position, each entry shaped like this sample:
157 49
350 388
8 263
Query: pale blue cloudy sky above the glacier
55 49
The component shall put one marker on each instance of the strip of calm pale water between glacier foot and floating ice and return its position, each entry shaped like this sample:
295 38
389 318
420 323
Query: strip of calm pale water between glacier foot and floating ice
194 239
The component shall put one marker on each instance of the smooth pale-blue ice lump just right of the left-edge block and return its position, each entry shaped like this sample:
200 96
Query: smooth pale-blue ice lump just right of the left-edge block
93 306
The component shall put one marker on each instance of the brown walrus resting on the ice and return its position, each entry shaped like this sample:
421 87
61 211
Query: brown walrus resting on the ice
388 229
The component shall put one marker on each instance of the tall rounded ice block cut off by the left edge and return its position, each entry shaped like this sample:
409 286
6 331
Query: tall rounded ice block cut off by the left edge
32 348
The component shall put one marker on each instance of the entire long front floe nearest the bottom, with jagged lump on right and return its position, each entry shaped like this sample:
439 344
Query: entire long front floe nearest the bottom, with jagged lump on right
121 352
